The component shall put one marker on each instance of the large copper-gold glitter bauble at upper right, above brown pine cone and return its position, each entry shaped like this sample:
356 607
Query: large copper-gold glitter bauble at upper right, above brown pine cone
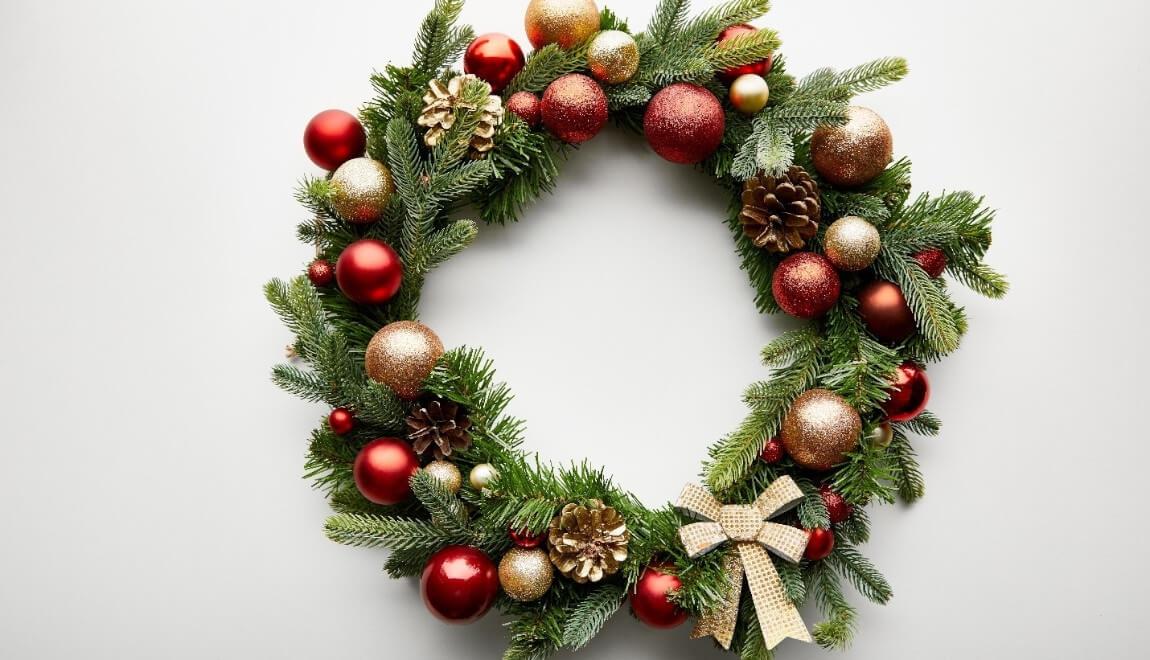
856 152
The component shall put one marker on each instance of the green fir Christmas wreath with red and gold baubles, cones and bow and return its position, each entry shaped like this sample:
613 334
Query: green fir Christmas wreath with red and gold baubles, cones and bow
826 229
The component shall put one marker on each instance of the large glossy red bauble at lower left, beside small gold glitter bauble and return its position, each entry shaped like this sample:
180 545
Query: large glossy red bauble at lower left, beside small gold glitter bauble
459 585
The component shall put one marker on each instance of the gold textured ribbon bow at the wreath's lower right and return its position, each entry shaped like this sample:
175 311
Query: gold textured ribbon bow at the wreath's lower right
749 528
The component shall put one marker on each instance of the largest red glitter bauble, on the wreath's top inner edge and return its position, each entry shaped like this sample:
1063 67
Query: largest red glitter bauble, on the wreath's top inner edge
685 124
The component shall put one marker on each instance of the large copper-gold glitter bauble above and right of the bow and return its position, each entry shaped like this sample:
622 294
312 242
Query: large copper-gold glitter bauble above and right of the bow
821 429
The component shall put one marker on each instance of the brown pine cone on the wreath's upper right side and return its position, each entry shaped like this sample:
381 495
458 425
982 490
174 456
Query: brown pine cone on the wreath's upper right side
781 214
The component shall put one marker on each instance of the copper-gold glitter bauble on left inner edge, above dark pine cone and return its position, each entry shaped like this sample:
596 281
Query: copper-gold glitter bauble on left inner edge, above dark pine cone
402 356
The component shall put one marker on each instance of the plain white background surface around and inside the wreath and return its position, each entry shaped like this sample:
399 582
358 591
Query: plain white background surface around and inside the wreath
151 501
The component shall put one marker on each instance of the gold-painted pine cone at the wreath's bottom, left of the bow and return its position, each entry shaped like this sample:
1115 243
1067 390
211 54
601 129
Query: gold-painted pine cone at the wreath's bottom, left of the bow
588 542
